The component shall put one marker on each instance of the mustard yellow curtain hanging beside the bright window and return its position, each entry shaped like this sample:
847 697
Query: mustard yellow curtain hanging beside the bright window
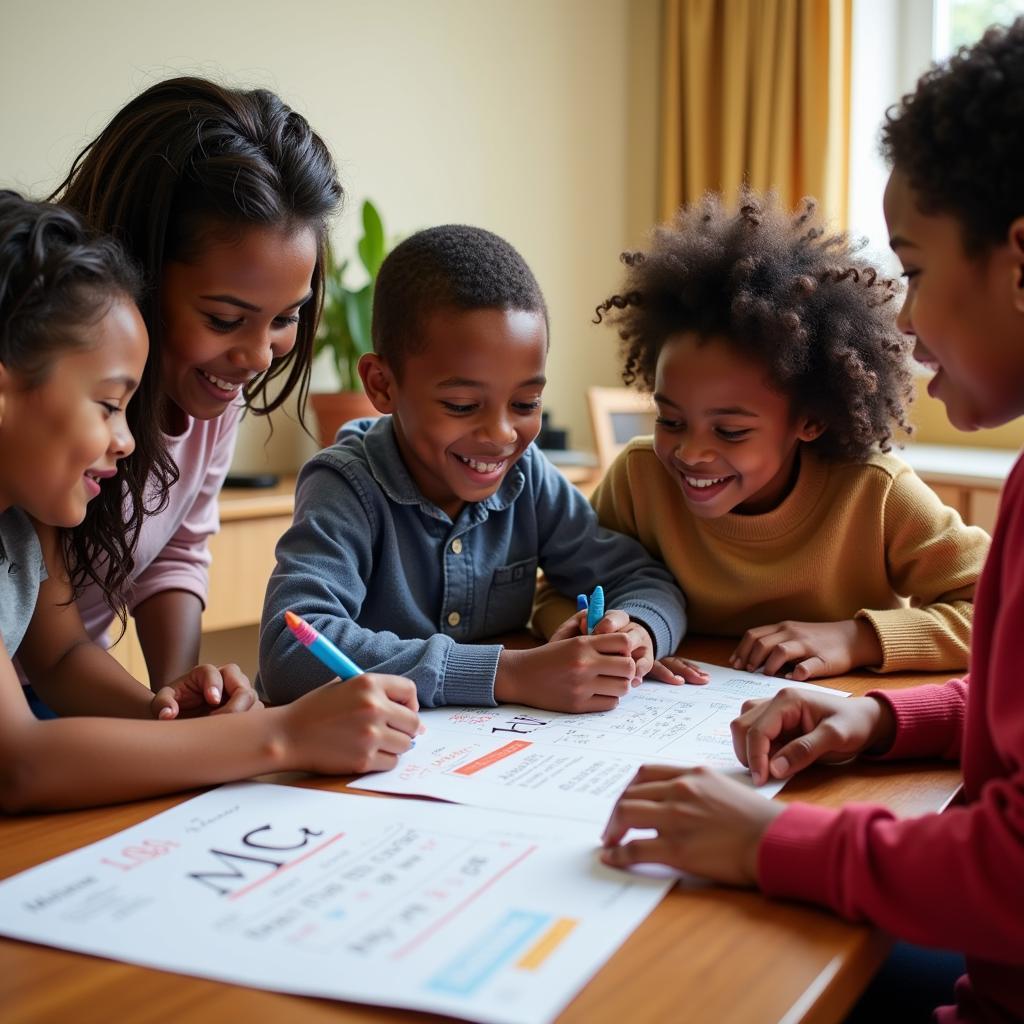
756 92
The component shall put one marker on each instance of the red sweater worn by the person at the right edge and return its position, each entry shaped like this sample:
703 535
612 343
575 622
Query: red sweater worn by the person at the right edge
955 880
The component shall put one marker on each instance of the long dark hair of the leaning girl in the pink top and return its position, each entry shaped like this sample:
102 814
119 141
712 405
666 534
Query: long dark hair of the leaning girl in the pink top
187 159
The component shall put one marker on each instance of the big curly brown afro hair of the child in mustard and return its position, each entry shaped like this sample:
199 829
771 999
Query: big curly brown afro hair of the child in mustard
788 294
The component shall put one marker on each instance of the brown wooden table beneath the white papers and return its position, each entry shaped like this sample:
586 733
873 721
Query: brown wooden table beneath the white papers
708 955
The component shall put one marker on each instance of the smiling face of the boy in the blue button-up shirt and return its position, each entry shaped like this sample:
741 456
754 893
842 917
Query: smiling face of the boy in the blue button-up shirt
467 403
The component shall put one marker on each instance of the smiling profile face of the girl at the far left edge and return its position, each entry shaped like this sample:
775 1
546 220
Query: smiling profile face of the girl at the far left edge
61 439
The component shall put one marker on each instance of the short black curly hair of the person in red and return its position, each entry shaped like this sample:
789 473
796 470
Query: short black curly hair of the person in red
959 138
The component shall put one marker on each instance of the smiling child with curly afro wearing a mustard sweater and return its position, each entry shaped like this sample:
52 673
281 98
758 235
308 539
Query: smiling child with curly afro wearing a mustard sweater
779 373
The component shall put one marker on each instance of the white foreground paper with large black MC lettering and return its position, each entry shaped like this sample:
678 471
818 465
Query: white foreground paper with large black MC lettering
479 915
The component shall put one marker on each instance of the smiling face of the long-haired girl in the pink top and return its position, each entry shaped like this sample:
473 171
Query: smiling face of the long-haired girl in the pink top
230 312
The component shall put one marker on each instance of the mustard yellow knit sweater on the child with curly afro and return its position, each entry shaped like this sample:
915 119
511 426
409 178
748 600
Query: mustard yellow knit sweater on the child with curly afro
852 540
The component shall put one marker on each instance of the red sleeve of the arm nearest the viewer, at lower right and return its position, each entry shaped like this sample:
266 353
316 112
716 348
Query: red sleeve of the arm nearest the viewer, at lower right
952 881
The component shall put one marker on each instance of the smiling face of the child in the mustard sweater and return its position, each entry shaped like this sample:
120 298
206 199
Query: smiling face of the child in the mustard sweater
727 437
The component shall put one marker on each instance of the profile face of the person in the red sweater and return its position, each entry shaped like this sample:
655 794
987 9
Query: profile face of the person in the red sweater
967 314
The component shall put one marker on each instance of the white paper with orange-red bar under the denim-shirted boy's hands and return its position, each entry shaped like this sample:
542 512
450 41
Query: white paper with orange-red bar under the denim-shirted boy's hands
575 766
